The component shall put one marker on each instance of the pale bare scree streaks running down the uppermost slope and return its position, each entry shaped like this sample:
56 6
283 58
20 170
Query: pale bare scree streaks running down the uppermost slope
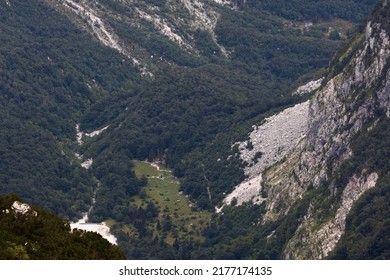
93 16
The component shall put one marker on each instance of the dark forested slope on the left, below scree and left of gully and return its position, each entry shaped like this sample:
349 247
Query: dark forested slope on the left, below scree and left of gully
50 73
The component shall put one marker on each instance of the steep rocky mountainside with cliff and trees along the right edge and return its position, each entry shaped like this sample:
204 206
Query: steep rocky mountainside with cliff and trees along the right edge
328 197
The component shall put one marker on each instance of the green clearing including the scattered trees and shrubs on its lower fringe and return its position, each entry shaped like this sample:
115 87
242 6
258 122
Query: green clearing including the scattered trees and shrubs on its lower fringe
161 211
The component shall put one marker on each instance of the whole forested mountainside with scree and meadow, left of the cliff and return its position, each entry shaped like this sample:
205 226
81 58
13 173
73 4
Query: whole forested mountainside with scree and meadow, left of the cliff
176 82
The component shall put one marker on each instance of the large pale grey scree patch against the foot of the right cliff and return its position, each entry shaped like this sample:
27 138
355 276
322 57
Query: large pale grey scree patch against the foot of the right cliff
274 139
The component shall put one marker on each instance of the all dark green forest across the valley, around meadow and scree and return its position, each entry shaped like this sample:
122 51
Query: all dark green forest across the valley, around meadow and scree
186 115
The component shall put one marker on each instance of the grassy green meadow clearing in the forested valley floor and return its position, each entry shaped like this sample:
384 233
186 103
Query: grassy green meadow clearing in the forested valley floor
178 216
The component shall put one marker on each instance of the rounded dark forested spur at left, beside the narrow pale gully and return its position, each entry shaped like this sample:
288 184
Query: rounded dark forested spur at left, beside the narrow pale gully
33 166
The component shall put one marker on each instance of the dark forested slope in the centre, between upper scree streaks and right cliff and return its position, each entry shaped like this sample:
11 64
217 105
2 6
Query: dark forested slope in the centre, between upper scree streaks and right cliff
189 115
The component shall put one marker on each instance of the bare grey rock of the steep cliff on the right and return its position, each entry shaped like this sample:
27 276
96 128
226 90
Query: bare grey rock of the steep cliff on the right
348 103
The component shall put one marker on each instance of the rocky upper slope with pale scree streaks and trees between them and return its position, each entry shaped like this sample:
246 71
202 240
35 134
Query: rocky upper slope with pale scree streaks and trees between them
174 20
